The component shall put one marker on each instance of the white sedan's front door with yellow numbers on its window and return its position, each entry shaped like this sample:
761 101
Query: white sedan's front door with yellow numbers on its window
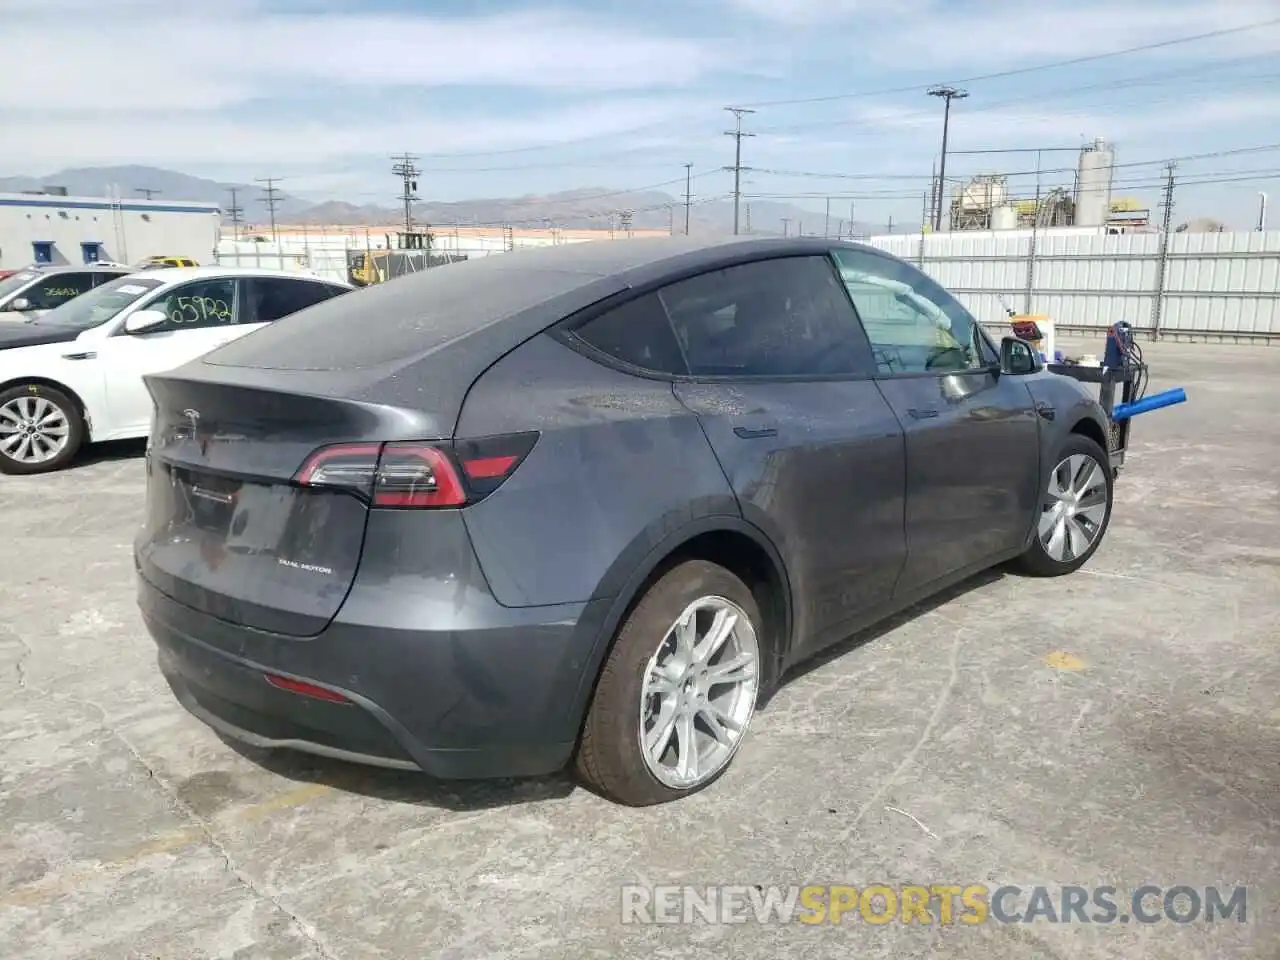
203 316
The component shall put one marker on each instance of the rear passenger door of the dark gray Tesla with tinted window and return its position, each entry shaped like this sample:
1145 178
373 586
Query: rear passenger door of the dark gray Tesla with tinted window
779 373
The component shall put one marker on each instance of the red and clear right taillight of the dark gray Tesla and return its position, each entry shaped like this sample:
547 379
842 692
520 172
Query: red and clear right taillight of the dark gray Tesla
419 476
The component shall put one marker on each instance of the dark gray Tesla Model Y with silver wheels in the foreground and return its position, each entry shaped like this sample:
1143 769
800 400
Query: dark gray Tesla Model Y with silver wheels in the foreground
589 504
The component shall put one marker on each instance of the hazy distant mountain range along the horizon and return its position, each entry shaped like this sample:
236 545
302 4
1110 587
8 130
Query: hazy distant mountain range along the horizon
578 209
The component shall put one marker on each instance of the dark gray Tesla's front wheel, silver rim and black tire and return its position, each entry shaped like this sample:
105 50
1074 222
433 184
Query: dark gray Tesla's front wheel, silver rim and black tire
1076 510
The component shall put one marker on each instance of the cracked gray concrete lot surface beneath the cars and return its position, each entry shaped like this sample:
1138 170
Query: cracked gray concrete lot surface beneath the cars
1117 728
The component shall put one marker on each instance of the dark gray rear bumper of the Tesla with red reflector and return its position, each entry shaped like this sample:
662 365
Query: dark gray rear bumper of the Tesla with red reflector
488 694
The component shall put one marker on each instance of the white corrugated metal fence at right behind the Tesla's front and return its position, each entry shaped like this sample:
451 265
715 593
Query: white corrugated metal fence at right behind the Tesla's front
1186 286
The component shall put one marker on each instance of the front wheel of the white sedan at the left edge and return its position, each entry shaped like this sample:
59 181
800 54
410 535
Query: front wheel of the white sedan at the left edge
40 429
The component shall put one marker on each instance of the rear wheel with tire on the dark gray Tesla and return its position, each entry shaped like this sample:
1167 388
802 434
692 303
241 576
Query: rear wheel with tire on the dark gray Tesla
611 758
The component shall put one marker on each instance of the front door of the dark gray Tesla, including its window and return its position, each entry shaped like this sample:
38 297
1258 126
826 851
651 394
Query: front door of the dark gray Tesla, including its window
972 435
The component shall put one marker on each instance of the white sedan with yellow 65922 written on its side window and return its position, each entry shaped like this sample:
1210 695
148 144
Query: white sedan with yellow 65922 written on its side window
75 376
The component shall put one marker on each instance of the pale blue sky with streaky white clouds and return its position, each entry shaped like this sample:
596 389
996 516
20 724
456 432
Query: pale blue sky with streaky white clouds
501 98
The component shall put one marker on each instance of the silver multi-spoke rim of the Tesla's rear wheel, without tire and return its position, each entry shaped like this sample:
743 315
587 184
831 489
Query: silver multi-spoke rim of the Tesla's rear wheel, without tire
700 693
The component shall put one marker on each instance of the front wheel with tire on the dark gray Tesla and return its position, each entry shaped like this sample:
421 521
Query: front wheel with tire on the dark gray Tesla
1041 559
